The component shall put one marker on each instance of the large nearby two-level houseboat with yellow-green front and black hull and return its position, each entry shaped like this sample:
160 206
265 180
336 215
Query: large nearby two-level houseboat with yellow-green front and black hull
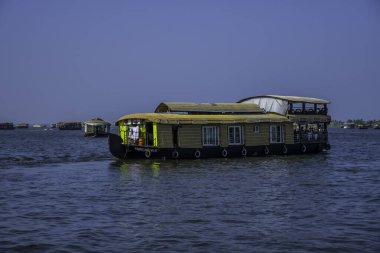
266 125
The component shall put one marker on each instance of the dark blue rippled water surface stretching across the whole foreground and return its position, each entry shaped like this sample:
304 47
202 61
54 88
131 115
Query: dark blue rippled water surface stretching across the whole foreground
75 198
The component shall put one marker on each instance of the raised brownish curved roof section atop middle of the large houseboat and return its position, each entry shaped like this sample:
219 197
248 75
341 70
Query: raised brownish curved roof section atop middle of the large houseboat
208 108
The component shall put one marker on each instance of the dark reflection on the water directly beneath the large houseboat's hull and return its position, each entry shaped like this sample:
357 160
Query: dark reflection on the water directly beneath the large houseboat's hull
305 167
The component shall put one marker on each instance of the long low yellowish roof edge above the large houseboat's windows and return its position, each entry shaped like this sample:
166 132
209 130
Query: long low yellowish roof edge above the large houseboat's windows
168 118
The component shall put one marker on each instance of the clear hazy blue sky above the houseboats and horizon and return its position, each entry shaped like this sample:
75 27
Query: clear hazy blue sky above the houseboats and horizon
74 60
